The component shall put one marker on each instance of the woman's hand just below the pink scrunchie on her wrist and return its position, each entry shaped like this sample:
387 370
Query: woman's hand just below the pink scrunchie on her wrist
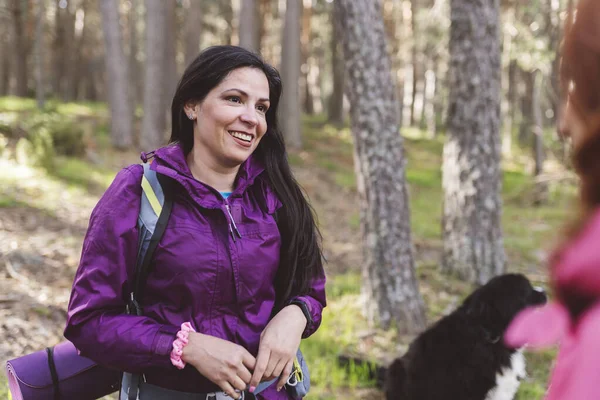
224 363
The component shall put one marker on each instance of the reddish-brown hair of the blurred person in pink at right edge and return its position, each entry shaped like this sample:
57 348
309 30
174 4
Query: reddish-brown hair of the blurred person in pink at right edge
580 78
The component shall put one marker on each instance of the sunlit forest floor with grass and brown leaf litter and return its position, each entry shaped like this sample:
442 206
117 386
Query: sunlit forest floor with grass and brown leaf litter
44 215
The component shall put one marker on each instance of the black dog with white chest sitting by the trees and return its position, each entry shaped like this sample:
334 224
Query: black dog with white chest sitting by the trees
462 356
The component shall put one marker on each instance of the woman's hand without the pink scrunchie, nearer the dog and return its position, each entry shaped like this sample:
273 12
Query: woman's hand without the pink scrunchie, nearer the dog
279 343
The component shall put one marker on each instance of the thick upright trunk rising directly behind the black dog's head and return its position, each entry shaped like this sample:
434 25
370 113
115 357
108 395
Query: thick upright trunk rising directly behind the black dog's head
473 244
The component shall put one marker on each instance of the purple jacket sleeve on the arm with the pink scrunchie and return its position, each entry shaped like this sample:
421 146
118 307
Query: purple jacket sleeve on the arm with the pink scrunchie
96 323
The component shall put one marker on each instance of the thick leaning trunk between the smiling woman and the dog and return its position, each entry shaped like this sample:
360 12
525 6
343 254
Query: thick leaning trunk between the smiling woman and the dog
389 280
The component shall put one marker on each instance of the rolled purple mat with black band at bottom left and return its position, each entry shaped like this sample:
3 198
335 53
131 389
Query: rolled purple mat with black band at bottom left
59 372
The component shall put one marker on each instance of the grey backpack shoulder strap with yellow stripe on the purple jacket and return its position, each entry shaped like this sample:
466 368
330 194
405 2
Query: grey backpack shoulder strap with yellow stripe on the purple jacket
155 209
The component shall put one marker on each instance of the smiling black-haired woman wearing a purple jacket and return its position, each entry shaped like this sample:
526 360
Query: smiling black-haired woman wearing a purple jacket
232 290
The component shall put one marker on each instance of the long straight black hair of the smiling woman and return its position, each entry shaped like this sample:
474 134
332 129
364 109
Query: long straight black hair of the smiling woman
301 253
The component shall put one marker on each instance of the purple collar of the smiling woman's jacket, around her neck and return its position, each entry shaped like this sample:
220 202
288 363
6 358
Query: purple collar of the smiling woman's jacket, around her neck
171 161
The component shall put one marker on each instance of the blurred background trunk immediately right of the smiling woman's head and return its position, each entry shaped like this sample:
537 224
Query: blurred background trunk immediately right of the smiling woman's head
290 75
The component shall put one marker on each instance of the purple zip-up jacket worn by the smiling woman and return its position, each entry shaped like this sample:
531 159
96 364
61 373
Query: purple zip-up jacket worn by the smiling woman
224 287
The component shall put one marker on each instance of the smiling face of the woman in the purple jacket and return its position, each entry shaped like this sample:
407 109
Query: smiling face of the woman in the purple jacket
231 120
